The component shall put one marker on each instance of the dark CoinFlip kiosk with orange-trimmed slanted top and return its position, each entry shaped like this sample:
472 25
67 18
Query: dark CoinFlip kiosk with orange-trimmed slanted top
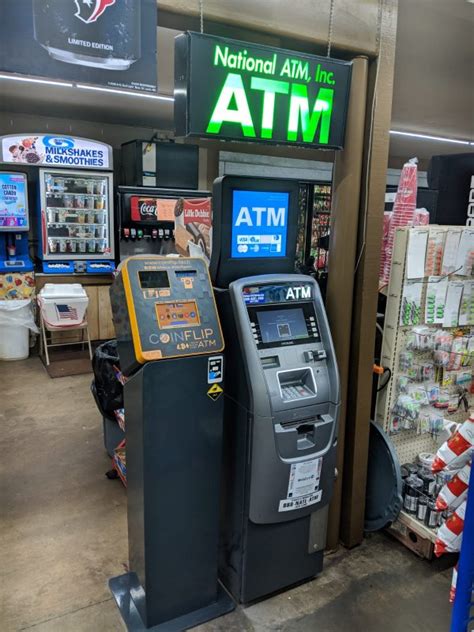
170 346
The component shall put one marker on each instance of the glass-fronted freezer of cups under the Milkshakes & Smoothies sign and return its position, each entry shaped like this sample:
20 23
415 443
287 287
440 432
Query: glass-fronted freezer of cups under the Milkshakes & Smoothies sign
77 233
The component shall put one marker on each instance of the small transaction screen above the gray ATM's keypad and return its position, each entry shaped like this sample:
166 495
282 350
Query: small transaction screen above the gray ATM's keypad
281 325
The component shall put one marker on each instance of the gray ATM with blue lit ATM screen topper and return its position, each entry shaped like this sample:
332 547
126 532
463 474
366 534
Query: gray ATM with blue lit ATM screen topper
282 389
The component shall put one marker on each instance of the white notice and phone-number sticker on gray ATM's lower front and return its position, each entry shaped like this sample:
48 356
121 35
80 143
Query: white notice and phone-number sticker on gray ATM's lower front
303 485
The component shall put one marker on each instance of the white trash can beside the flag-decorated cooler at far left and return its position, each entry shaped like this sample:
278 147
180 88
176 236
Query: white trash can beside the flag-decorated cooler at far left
16 320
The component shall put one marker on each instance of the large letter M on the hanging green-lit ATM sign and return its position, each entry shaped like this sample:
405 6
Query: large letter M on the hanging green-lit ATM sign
299 110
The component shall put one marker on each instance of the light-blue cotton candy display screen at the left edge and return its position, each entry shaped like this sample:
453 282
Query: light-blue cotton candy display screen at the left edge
13 202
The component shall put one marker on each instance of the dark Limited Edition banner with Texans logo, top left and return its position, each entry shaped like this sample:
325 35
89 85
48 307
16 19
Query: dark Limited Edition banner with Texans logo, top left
110 43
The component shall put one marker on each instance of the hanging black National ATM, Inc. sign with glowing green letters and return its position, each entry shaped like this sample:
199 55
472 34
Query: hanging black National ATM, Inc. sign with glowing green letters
226 89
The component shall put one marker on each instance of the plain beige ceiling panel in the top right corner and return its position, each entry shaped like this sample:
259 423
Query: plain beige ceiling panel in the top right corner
434 89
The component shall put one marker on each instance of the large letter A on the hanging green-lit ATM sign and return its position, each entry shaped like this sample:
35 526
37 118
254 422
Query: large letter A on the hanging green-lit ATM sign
233 89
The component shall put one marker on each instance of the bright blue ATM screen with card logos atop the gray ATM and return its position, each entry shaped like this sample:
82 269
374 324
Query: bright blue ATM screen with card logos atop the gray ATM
259 224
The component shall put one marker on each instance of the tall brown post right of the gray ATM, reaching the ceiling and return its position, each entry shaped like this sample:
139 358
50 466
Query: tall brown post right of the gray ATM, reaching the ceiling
366 279
